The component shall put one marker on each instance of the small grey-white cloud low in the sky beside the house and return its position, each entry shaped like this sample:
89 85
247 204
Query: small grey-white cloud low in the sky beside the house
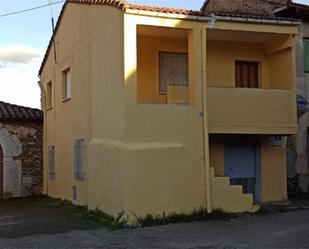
19 54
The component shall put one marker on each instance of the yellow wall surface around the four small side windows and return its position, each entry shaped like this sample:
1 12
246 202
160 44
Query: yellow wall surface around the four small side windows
68 120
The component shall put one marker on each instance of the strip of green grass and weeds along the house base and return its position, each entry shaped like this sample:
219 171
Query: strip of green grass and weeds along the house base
81 215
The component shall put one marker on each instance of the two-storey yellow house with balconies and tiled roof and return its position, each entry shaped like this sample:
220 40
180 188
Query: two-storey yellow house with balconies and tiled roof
151 110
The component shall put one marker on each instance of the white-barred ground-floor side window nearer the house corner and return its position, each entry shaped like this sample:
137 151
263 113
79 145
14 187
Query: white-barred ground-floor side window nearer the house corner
79 151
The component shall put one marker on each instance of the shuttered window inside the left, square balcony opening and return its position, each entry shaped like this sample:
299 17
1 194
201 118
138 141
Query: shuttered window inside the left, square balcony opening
173 70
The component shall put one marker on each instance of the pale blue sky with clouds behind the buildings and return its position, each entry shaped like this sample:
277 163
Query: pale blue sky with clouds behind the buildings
24 38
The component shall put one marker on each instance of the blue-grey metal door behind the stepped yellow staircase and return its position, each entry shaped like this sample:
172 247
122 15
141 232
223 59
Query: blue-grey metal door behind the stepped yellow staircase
241 162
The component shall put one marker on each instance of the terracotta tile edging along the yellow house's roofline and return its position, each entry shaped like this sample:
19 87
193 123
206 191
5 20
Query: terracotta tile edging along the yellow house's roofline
124 5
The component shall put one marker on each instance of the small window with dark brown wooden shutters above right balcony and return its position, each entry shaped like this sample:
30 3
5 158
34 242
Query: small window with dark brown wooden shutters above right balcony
247 74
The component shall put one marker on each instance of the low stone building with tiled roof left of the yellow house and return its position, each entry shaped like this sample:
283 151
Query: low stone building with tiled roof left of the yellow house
21 161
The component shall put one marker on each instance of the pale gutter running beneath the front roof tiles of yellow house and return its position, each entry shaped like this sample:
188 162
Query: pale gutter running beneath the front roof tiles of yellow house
211 17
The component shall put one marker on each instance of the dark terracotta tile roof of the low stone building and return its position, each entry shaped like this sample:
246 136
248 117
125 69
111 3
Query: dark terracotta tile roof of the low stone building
10 112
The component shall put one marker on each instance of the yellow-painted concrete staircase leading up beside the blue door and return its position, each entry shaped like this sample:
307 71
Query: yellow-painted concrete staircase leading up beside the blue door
229 198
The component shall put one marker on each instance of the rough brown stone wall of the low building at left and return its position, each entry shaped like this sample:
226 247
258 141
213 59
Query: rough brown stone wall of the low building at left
30 136
